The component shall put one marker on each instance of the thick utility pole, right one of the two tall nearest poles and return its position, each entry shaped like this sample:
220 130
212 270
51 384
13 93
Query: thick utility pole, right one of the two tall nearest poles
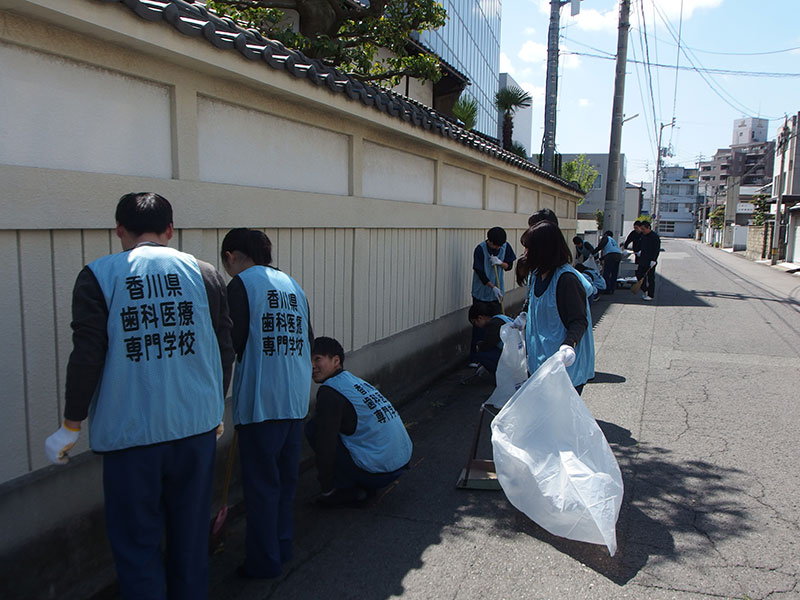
612 177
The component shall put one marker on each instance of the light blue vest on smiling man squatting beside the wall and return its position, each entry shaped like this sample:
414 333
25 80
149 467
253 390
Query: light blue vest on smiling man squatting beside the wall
380 443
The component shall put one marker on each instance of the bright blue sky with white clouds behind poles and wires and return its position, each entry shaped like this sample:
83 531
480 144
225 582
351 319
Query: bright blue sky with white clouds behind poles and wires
704 121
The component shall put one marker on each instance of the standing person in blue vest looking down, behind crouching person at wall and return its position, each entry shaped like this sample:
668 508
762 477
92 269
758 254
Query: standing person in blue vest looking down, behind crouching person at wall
490 260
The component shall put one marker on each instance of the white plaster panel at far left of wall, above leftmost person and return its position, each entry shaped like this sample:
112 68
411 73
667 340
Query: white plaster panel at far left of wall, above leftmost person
61 114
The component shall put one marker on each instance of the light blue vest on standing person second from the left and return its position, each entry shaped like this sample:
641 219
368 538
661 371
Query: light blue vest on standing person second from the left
273 379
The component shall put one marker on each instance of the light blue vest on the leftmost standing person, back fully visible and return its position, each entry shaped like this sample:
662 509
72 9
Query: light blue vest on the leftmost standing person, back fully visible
162 379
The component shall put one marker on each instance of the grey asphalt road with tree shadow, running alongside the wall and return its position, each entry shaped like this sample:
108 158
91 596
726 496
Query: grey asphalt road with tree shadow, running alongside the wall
698 394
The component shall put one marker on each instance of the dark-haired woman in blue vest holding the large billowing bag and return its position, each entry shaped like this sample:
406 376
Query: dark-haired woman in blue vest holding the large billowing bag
558 319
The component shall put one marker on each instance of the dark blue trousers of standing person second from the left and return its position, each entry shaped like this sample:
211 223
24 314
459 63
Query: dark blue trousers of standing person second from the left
270 455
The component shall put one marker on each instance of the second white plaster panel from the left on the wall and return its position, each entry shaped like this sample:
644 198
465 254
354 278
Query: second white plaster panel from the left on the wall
247 147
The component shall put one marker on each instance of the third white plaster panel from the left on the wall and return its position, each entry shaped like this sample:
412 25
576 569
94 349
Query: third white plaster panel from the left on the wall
392 174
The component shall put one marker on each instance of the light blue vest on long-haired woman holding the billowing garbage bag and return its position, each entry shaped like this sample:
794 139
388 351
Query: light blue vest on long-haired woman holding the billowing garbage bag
545 332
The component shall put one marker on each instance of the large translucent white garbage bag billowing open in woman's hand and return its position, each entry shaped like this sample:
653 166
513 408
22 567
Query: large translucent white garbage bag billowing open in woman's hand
553 462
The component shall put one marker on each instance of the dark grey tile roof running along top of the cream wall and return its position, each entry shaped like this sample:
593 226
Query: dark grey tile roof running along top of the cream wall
196 21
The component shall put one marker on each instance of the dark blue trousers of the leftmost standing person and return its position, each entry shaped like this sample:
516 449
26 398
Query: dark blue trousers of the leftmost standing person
153 490
